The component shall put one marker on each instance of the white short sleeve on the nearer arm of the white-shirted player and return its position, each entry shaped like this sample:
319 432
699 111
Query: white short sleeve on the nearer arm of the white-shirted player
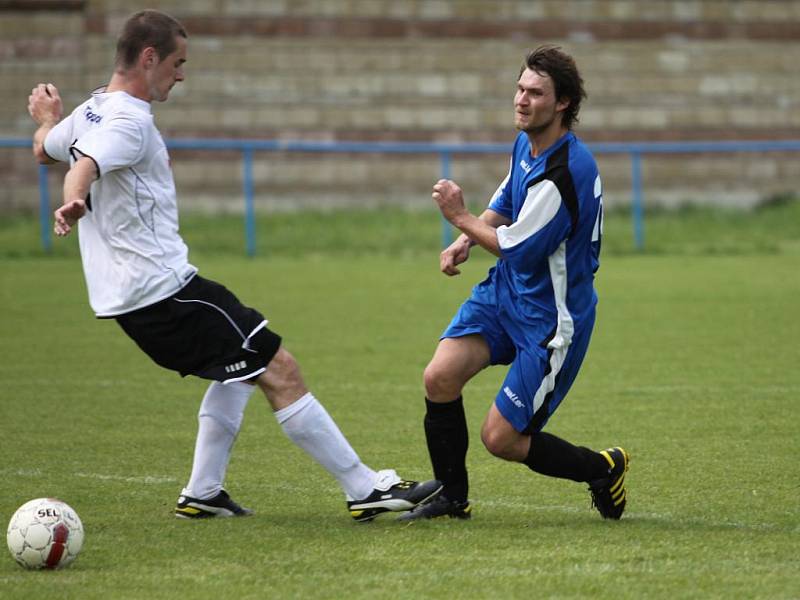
116 144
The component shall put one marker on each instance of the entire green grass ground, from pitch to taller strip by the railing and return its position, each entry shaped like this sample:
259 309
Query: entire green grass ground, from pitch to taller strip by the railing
693 368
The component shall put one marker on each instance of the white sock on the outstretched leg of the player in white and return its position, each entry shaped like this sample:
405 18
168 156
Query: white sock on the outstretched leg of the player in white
309 425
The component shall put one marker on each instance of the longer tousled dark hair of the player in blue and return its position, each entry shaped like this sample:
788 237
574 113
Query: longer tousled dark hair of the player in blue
561 67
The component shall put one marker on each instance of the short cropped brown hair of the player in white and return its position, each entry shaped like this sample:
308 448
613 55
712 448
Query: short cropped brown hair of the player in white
145 29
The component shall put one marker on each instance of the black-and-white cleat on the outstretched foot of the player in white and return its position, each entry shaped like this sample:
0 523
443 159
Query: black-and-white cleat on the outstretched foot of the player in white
391 493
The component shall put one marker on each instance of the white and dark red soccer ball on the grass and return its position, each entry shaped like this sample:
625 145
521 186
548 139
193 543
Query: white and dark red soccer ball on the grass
45 533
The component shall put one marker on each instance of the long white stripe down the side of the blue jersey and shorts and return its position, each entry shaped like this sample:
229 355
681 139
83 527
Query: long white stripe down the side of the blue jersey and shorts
565 328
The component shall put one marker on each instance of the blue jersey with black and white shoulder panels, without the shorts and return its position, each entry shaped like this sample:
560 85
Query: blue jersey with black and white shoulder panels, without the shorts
550 251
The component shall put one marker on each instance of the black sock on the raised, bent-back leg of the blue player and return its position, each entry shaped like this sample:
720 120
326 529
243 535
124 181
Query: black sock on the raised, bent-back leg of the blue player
550 455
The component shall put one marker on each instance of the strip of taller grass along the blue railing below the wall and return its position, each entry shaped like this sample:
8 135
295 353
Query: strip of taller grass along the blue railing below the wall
769 229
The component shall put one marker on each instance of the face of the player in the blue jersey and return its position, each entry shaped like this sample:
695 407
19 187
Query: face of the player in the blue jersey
535 105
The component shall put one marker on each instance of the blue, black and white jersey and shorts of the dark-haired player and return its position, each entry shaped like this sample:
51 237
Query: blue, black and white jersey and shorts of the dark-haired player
535 310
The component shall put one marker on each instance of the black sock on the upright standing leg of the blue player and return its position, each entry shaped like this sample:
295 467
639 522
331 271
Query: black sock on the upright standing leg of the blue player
446 433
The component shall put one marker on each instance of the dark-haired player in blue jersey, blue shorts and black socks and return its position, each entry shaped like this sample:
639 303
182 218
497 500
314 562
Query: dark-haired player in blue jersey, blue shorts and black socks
535 310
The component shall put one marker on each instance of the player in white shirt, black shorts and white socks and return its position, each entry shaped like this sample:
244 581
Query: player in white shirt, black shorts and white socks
120 191
